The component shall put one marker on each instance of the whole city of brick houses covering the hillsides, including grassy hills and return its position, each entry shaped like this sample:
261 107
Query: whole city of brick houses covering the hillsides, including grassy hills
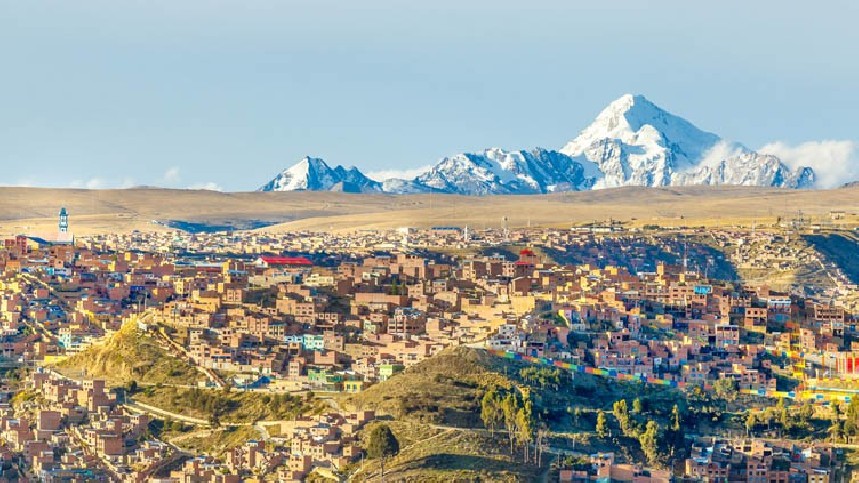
596 353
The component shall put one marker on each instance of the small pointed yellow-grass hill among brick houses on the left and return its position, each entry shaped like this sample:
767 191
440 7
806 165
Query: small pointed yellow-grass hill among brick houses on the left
128 355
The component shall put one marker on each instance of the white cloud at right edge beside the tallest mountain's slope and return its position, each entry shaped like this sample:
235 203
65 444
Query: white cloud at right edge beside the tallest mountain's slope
834 162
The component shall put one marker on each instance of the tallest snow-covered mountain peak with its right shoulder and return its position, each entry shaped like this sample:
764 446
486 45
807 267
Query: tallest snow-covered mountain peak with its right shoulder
635 143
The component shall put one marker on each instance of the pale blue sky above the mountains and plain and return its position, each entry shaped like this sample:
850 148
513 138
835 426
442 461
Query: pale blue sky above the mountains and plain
107 93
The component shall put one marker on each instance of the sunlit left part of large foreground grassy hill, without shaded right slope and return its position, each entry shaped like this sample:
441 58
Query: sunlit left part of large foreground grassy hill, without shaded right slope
434 403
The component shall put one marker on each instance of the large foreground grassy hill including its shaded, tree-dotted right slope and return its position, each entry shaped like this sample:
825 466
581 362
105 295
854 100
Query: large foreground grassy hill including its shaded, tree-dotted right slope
436 406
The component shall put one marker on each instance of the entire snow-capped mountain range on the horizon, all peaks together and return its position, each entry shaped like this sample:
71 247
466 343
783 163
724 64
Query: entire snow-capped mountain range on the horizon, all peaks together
632 142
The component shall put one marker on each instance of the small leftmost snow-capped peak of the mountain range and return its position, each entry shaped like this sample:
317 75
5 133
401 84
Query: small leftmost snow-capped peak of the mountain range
313 174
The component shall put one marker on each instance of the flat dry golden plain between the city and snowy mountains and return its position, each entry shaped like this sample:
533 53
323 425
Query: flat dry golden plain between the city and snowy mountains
33 210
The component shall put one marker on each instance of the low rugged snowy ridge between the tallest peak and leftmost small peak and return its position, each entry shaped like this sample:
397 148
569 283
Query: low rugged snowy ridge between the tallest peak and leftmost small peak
497 171
